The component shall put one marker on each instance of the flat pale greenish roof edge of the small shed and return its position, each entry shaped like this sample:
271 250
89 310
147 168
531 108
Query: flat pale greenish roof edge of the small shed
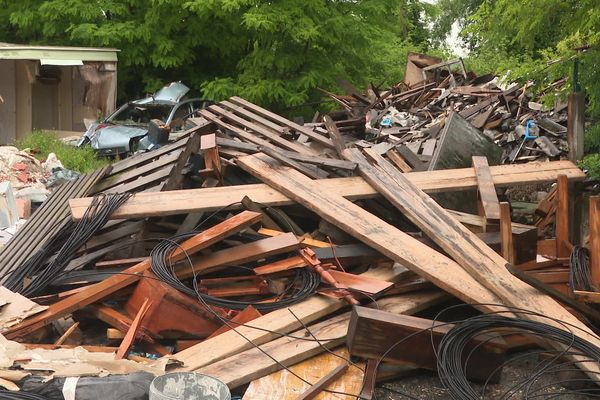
33 52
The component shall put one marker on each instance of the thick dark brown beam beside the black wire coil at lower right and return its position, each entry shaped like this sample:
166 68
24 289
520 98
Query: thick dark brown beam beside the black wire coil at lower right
371 333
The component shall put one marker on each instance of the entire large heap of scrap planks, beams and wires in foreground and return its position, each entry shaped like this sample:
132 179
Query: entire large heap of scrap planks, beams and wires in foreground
302 261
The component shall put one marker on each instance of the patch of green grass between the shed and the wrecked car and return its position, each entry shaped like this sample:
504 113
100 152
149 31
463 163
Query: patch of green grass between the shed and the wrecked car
78 159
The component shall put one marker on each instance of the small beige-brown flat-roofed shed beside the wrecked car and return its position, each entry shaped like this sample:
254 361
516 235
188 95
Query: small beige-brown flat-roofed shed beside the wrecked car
54 88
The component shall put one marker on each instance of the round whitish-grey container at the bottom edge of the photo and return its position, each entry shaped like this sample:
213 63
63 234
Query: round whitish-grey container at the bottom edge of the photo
188 386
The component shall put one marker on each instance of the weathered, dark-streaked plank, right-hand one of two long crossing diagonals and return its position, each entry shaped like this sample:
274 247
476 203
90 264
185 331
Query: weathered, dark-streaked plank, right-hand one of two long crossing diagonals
481 262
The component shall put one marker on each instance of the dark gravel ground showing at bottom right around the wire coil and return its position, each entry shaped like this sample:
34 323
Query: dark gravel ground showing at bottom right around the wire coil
426 385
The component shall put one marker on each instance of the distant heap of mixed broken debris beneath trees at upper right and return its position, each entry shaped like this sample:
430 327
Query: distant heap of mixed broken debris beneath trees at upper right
426 112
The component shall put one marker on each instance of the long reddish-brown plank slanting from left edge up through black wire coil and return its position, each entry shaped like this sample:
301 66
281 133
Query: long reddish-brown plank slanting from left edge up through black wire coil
101 290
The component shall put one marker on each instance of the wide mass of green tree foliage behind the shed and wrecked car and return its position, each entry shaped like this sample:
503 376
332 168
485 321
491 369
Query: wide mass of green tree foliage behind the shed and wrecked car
276 53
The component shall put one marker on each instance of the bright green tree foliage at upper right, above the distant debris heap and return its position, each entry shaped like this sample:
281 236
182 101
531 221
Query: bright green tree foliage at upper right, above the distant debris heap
535 40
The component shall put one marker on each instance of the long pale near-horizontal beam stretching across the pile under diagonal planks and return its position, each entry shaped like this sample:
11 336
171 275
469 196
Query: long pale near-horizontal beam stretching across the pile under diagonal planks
143 205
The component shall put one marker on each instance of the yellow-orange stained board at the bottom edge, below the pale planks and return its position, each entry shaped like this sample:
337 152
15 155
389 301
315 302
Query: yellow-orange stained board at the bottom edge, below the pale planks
282 385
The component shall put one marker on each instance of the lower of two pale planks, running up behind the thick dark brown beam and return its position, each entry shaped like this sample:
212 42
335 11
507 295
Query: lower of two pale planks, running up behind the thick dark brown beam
252 364
